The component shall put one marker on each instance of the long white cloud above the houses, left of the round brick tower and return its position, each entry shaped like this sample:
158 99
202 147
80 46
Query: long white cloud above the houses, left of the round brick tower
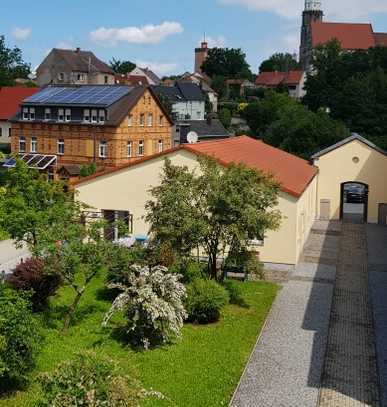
147 34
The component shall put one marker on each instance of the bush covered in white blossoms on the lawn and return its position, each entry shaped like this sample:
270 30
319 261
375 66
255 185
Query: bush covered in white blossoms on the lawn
153 301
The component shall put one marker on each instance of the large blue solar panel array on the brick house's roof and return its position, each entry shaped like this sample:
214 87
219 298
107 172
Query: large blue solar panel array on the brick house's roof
82 95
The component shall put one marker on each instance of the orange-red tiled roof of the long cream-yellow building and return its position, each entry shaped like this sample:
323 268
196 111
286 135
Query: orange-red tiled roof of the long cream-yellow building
293 173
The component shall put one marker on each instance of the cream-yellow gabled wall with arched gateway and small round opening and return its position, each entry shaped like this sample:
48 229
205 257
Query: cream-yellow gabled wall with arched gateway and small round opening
339 166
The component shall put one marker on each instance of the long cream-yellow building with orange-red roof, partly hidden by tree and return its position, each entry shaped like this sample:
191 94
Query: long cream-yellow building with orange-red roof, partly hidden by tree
126 189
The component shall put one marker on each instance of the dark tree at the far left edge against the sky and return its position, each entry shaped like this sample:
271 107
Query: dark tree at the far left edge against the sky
12 65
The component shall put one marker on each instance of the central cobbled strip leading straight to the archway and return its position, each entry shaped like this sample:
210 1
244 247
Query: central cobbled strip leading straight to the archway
350 375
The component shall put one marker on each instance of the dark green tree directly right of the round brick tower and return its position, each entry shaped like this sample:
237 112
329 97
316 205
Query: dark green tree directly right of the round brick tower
227 62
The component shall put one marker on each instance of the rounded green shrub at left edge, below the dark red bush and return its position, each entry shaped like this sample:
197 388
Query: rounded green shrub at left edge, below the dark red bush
18 337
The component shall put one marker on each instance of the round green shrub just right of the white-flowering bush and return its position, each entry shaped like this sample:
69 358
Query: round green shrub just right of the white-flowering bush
205 300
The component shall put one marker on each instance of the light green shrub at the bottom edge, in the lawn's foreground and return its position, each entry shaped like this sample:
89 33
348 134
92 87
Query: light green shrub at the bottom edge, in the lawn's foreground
90 380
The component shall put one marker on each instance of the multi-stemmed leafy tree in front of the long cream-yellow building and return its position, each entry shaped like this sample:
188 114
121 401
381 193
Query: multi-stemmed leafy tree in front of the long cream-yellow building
218 208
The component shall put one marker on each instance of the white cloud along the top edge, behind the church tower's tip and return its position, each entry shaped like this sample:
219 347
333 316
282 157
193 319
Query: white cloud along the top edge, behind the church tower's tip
343 9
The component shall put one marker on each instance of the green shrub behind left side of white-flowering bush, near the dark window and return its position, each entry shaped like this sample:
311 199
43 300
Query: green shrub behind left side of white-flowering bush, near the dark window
121 259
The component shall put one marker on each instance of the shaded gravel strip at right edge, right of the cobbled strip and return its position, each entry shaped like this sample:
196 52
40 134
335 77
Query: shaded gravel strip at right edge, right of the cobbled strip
377 265
